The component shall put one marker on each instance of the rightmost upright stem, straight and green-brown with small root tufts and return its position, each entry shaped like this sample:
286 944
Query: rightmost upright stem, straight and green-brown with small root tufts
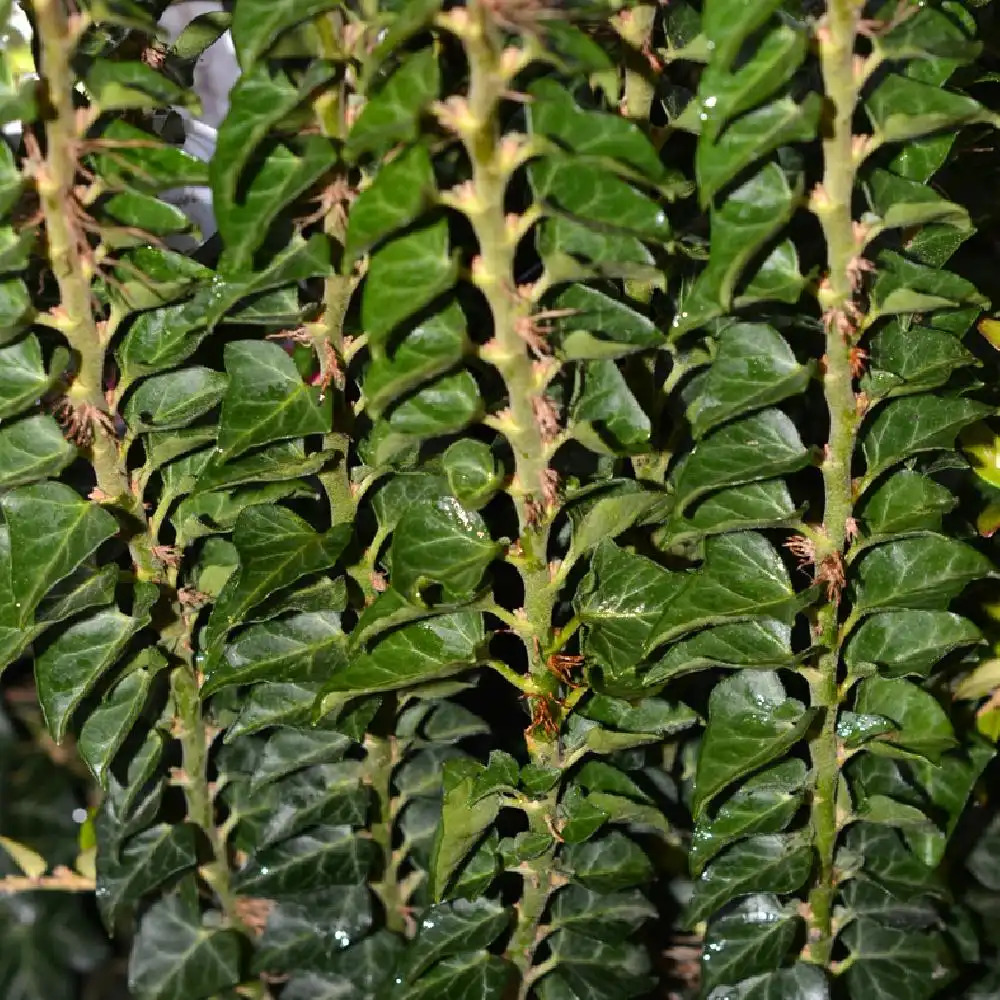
833 207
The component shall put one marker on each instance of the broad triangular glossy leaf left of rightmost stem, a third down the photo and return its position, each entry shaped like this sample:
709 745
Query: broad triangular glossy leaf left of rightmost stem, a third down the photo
753 368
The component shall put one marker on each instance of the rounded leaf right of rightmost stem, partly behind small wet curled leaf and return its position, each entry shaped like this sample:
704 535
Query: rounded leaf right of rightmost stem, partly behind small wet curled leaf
922 725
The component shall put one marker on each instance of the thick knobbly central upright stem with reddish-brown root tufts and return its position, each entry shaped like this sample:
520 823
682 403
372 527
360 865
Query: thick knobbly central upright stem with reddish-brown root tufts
494 157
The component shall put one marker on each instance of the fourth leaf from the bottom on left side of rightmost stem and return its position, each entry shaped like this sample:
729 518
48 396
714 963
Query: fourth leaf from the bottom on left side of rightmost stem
764 803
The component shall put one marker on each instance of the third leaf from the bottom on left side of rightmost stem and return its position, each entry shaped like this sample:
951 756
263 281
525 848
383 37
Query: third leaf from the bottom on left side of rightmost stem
777 863
